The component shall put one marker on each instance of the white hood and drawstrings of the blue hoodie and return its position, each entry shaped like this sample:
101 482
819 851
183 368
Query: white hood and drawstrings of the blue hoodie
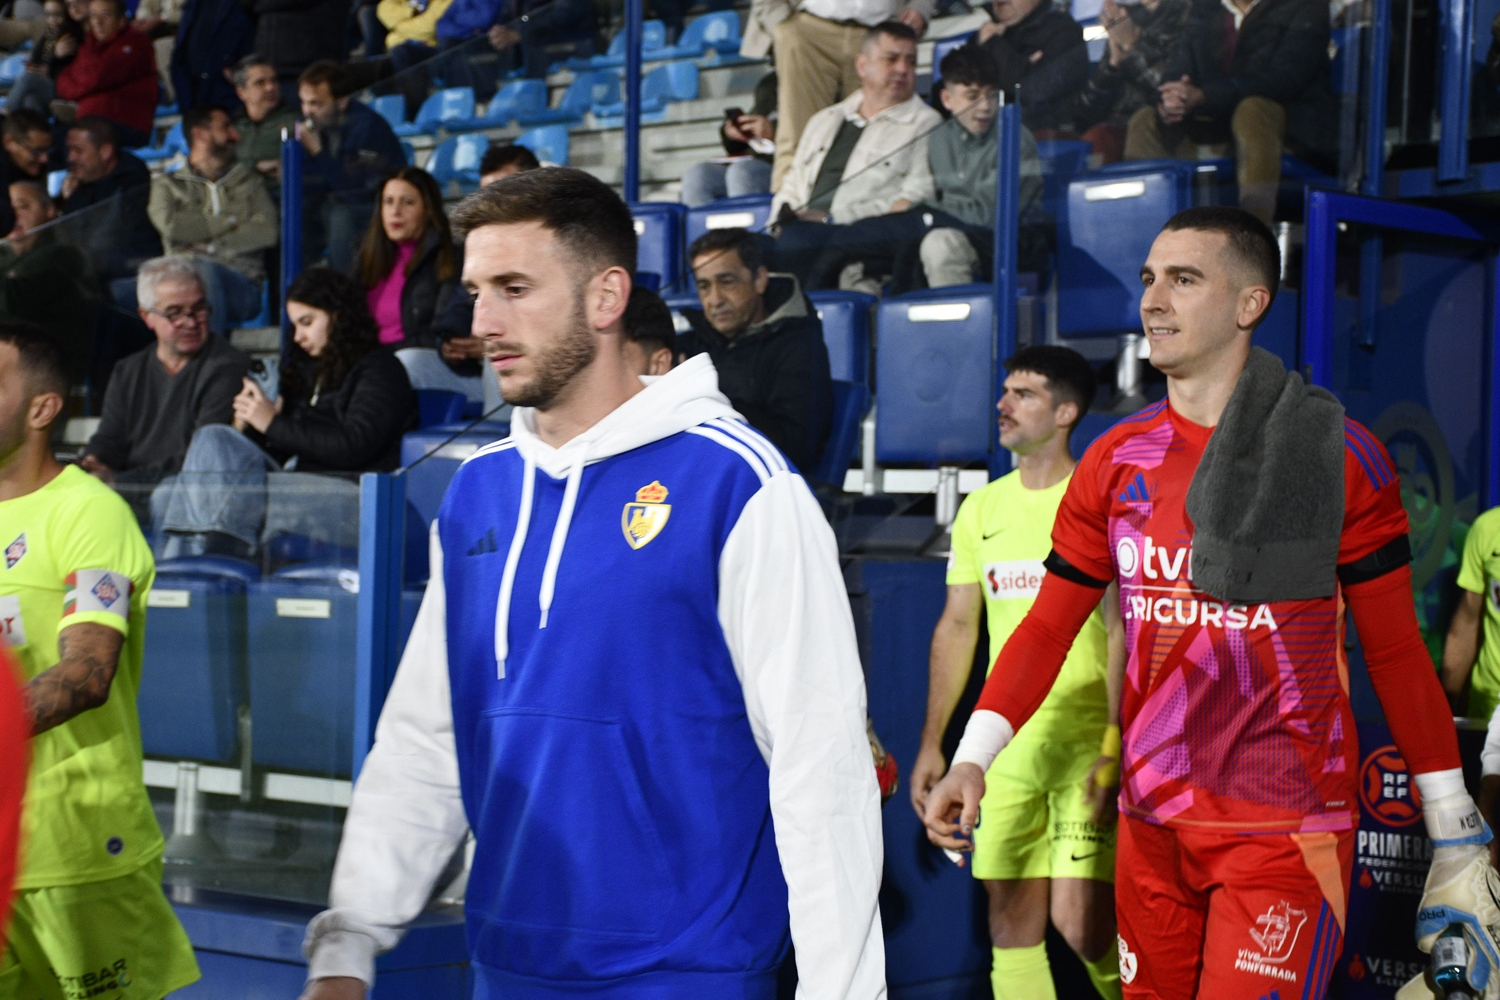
670 404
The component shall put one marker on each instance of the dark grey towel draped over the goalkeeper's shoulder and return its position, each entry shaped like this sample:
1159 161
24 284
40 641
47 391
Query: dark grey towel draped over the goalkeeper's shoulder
1268 499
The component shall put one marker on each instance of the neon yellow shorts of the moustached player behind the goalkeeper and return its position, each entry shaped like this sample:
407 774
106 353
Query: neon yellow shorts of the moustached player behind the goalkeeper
1034 819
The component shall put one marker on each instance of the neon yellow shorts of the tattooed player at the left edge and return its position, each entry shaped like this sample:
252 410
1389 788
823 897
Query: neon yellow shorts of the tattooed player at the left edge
101 941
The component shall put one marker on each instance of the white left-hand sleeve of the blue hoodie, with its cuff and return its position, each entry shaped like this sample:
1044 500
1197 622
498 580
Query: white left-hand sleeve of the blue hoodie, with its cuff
406 818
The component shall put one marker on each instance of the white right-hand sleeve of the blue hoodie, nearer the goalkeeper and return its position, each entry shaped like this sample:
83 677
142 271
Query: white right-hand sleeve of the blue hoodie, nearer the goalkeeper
785 614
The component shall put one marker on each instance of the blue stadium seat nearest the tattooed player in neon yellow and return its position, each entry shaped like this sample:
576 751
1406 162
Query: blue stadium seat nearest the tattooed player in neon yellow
193 681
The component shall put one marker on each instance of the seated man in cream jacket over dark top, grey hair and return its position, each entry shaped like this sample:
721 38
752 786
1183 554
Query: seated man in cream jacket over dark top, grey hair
877 139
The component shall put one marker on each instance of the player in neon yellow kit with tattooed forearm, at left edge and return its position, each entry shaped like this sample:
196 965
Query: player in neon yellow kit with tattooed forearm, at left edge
91 920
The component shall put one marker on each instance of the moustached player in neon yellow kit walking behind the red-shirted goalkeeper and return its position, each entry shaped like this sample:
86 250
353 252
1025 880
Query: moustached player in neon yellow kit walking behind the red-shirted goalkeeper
1045 846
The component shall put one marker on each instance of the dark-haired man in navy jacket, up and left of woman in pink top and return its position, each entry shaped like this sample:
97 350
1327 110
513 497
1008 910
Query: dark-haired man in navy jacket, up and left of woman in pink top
350 152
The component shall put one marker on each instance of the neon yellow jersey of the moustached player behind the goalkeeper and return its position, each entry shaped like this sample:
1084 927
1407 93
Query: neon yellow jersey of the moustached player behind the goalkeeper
1000 539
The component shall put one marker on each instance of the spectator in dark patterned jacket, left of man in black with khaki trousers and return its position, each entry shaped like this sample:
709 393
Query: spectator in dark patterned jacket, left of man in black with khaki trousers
1142 38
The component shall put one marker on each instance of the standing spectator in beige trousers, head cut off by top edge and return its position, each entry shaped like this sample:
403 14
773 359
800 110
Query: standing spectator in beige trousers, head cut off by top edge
817 50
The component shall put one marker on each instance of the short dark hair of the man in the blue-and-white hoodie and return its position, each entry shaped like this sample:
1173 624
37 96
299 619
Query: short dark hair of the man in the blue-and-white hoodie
583 212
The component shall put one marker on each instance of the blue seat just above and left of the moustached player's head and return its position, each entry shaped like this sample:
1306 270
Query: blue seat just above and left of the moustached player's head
935 376
